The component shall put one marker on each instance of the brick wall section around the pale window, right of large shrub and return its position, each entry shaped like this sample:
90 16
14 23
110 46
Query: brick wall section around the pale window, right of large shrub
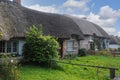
65 47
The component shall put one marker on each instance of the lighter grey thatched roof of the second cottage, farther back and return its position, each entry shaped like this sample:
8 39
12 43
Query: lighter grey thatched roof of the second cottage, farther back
89 28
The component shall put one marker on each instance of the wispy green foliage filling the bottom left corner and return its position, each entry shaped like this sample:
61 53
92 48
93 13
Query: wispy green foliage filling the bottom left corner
8 68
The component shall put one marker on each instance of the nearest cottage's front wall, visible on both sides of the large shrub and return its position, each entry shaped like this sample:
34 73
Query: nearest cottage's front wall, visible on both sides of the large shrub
65 51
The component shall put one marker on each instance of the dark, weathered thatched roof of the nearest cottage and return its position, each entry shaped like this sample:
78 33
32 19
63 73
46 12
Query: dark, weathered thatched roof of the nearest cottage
15 20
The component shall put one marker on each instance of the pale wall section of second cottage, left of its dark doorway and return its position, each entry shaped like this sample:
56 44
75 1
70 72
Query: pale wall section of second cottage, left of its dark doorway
85 43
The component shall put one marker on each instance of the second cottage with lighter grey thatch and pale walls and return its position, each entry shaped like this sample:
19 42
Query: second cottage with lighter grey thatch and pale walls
95 37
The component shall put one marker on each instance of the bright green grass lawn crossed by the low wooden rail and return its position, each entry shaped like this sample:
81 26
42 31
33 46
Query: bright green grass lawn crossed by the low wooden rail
70 72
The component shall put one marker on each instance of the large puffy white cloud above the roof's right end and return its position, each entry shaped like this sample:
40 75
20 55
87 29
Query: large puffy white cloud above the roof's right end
106 18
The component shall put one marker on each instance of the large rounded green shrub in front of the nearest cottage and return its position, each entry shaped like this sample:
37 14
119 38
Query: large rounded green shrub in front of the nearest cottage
39 48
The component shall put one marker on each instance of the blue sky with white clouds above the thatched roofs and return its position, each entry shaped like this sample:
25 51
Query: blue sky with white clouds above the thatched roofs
105 13
